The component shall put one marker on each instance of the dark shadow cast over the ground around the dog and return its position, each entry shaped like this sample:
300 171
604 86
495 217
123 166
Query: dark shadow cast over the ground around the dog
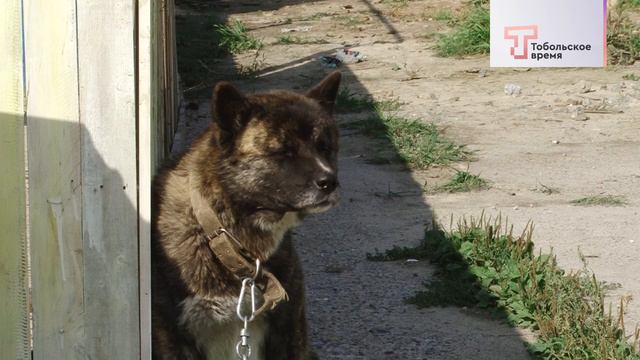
357 308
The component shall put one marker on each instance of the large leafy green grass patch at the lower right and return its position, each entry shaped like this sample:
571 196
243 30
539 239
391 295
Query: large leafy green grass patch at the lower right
483 264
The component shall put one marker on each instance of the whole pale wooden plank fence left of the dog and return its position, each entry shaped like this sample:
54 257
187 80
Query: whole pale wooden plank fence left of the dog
92 85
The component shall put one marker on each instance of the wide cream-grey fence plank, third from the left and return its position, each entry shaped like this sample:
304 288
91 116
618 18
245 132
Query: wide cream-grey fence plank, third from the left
107 92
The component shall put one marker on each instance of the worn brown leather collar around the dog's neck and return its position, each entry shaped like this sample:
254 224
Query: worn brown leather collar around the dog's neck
232 254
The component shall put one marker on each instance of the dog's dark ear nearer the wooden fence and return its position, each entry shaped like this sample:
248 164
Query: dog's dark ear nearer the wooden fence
230 111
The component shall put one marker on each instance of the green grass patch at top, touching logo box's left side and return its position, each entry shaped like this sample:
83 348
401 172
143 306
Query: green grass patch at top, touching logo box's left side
471 35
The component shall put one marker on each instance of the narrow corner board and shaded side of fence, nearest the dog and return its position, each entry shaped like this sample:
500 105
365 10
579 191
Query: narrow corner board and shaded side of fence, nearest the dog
157 118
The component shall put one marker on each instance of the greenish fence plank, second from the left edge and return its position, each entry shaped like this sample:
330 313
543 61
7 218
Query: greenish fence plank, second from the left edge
54 179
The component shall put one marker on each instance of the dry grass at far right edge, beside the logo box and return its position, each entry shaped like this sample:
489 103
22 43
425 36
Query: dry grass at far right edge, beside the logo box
623 35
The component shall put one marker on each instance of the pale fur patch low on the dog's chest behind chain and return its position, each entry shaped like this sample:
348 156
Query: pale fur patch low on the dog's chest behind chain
216 328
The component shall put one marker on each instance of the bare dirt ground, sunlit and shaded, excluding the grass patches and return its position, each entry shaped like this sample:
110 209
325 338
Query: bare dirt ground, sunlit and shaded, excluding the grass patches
523 143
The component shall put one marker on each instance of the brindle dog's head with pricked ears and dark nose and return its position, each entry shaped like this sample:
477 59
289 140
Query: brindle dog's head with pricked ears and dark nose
279 149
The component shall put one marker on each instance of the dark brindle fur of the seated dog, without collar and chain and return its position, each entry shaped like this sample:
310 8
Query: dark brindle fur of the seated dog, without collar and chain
265 162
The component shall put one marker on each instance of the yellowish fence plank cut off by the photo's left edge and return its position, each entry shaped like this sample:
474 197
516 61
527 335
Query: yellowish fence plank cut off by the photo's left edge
14 332
